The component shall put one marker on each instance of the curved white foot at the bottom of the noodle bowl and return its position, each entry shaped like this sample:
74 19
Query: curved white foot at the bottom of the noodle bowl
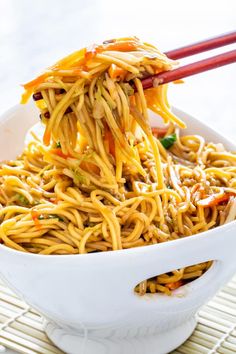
160 343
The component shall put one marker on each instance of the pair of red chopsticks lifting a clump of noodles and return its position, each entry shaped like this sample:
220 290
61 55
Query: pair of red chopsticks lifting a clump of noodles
199 66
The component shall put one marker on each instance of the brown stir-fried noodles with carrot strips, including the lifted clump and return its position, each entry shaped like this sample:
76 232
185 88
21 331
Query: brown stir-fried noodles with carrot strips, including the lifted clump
102 179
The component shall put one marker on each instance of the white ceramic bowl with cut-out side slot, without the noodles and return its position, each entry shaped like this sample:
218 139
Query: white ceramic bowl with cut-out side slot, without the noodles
89 300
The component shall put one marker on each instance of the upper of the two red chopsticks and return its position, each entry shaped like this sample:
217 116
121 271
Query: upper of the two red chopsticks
203 46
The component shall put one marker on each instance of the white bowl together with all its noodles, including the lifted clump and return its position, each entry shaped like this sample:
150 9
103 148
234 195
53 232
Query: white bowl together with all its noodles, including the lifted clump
108 176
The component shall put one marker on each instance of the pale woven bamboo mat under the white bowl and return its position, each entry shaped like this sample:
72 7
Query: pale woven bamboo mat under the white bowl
21 327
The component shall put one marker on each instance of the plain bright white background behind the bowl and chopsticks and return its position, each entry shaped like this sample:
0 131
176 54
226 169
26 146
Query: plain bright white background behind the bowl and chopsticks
34 34
